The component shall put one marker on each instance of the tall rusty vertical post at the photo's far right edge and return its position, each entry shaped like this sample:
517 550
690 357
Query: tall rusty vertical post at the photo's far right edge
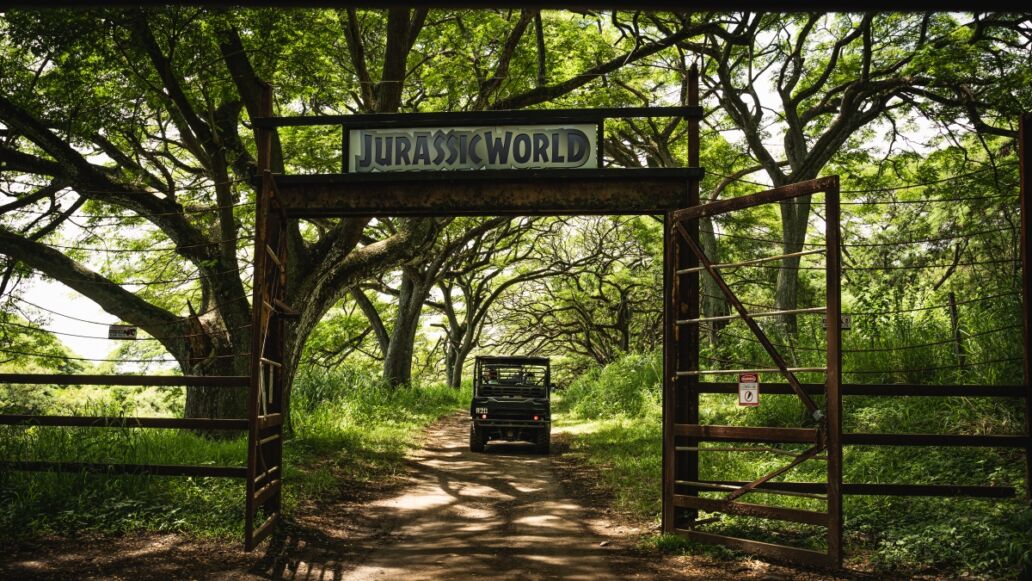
1025 154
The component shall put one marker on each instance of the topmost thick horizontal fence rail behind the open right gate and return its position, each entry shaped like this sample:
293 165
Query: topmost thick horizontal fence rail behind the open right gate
891 390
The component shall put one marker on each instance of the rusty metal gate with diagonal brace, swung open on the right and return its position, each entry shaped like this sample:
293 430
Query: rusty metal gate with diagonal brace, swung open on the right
685 436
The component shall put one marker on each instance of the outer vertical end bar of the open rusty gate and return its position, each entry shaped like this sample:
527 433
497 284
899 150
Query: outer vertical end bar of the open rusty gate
833 378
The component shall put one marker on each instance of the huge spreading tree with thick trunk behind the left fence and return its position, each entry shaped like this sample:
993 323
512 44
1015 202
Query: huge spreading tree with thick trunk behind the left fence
143 115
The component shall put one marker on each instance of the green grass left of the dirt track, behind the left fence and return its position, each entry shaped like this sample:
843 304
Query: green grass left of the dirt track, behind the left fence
346 430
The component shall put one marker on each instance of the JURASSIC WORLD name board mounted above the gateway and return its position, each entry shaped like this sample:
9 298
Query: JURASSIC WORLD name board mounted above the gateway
436 149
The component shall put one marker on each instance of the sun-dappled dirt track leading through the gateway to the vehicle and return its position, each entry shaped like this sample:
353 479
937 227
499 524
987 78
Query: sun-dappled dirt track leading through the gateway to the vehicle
500 514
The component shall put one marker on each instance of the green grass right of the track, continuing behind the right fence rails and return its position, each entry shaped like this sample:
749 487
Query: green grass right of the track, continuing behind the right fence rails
619 430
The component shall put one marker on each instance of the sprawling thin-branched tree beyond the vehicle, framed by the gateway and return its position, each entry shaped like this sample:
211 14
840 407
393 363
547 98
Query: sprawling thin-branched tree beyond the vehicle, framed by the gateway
607 307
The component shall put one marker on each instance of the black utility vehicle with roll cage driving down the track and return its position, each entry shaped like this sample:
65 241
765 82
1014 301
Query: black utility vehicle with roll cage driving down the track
511 402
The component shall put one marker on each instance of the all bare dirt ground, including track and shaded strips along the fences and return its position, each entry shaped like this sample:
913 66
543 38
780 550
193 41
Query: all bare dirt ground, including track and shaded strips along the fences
505 514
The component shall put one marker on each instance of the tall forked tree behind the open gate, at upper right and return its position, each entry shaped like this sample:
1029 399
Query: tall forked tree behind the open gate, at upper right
834 76
